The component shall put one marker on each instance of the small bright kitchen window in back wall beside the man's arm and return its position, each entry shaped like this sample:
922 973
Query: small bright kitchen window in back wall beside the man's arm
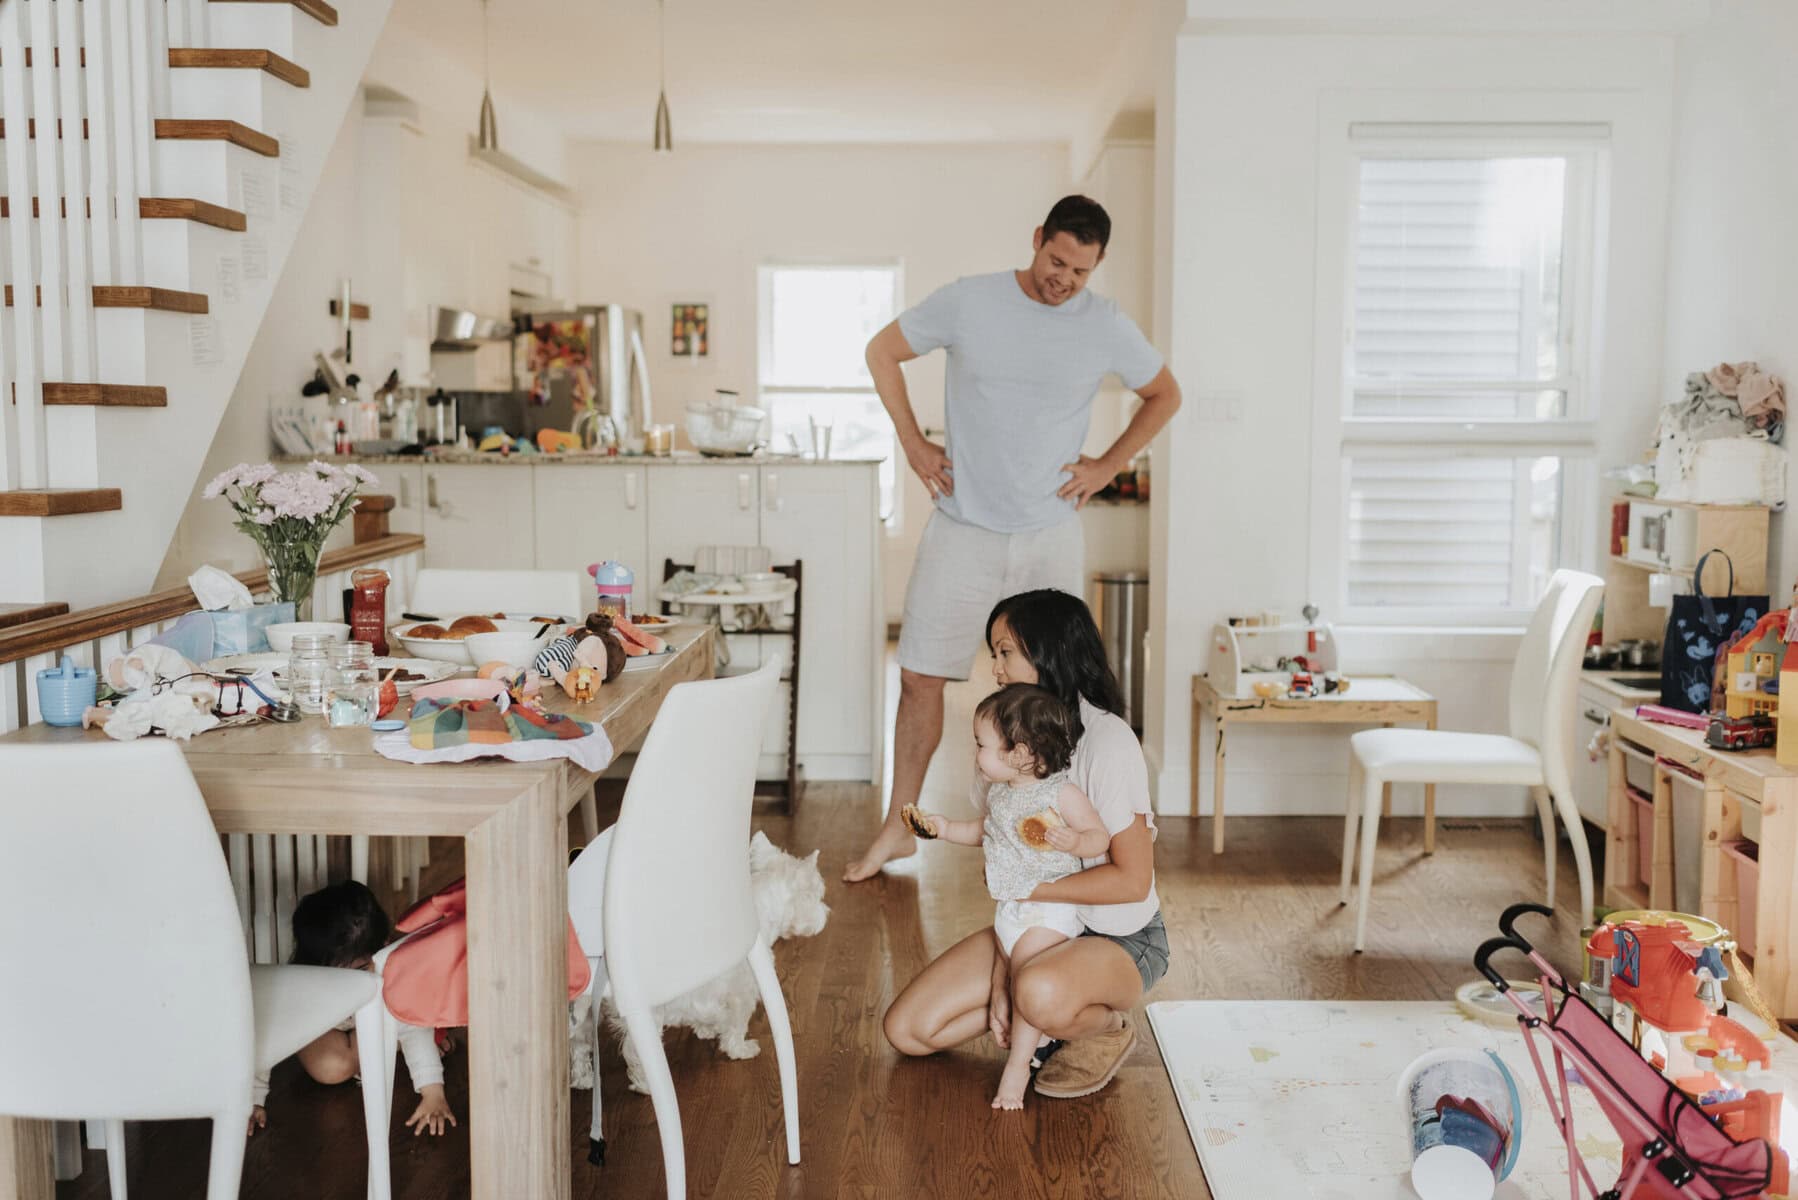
815 327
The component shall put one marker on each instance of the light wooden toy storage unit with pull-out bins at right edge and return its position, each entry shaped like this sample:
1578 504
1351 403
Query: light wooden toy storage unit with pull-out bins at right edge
1738 785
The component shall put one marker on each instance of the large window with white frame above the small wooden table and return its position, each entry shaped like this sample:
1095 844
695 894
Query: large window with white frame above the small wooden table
1457 422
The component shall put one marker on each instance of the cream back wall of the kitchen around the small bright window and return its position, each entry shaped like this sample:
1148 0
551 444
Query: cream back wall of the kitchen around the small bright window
697 226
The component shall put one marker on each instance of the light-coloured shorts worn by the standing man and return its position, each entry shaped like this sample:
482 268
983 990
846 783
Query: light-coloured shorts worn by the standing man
963 571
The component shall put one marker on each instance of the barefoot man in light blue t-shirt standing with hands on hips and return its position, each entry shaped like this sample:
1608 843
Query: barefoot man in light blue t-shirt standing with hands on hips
1028 352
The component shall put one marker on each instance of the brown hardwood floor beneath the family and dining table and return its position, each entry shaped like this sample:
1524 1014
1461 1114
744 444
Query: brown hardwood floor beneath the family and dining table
1258 924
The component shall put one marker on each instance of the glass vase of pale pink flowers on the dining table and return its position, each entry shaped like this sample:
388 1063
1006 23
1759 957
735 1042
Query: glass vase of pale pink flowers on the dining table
290 515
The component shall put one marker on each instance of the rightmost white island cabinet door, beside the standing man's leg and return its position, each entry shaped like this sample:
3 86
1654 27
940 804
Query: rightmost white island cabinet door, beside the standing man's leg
823 515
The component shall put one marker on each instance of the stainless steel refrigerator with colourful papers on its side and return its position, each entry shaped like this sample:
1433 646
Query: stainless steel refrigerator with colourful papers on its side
582 361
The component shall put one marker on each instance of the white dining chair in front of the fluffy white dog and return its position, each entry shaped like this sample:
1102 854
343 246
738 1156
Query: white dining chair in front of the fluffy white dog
663 904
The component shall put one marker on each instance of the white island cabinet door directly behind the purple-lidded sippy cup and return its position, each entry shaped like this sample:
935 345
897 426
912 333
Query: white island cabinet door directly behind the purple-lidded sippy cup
591 514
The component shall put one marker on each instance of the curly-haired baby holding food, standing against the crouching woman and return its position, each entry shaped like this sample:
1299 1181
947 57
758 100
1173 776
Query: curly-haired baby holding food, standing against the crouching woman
1037 830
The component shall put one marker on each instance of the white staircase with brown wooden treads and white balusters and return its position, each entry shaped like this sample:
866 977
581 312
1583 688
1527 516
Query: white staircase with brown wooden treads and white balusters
156 163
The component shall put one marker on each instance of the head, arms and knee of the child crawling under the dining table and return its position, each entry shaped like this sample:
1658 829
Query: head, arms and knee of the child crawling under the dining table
344 926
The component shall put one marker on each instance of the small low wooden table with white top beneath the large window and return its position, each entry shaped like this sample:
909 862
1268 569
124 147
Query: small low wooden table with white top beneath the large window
1371 701
